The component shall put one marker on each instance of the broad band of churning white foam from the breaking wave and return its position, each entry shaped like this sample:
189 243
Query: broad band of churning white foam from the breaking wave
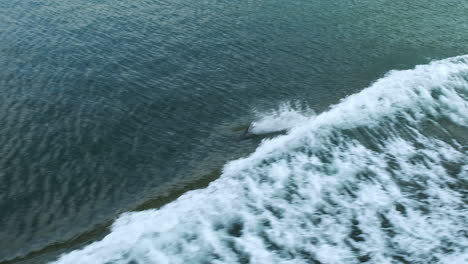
379 178
